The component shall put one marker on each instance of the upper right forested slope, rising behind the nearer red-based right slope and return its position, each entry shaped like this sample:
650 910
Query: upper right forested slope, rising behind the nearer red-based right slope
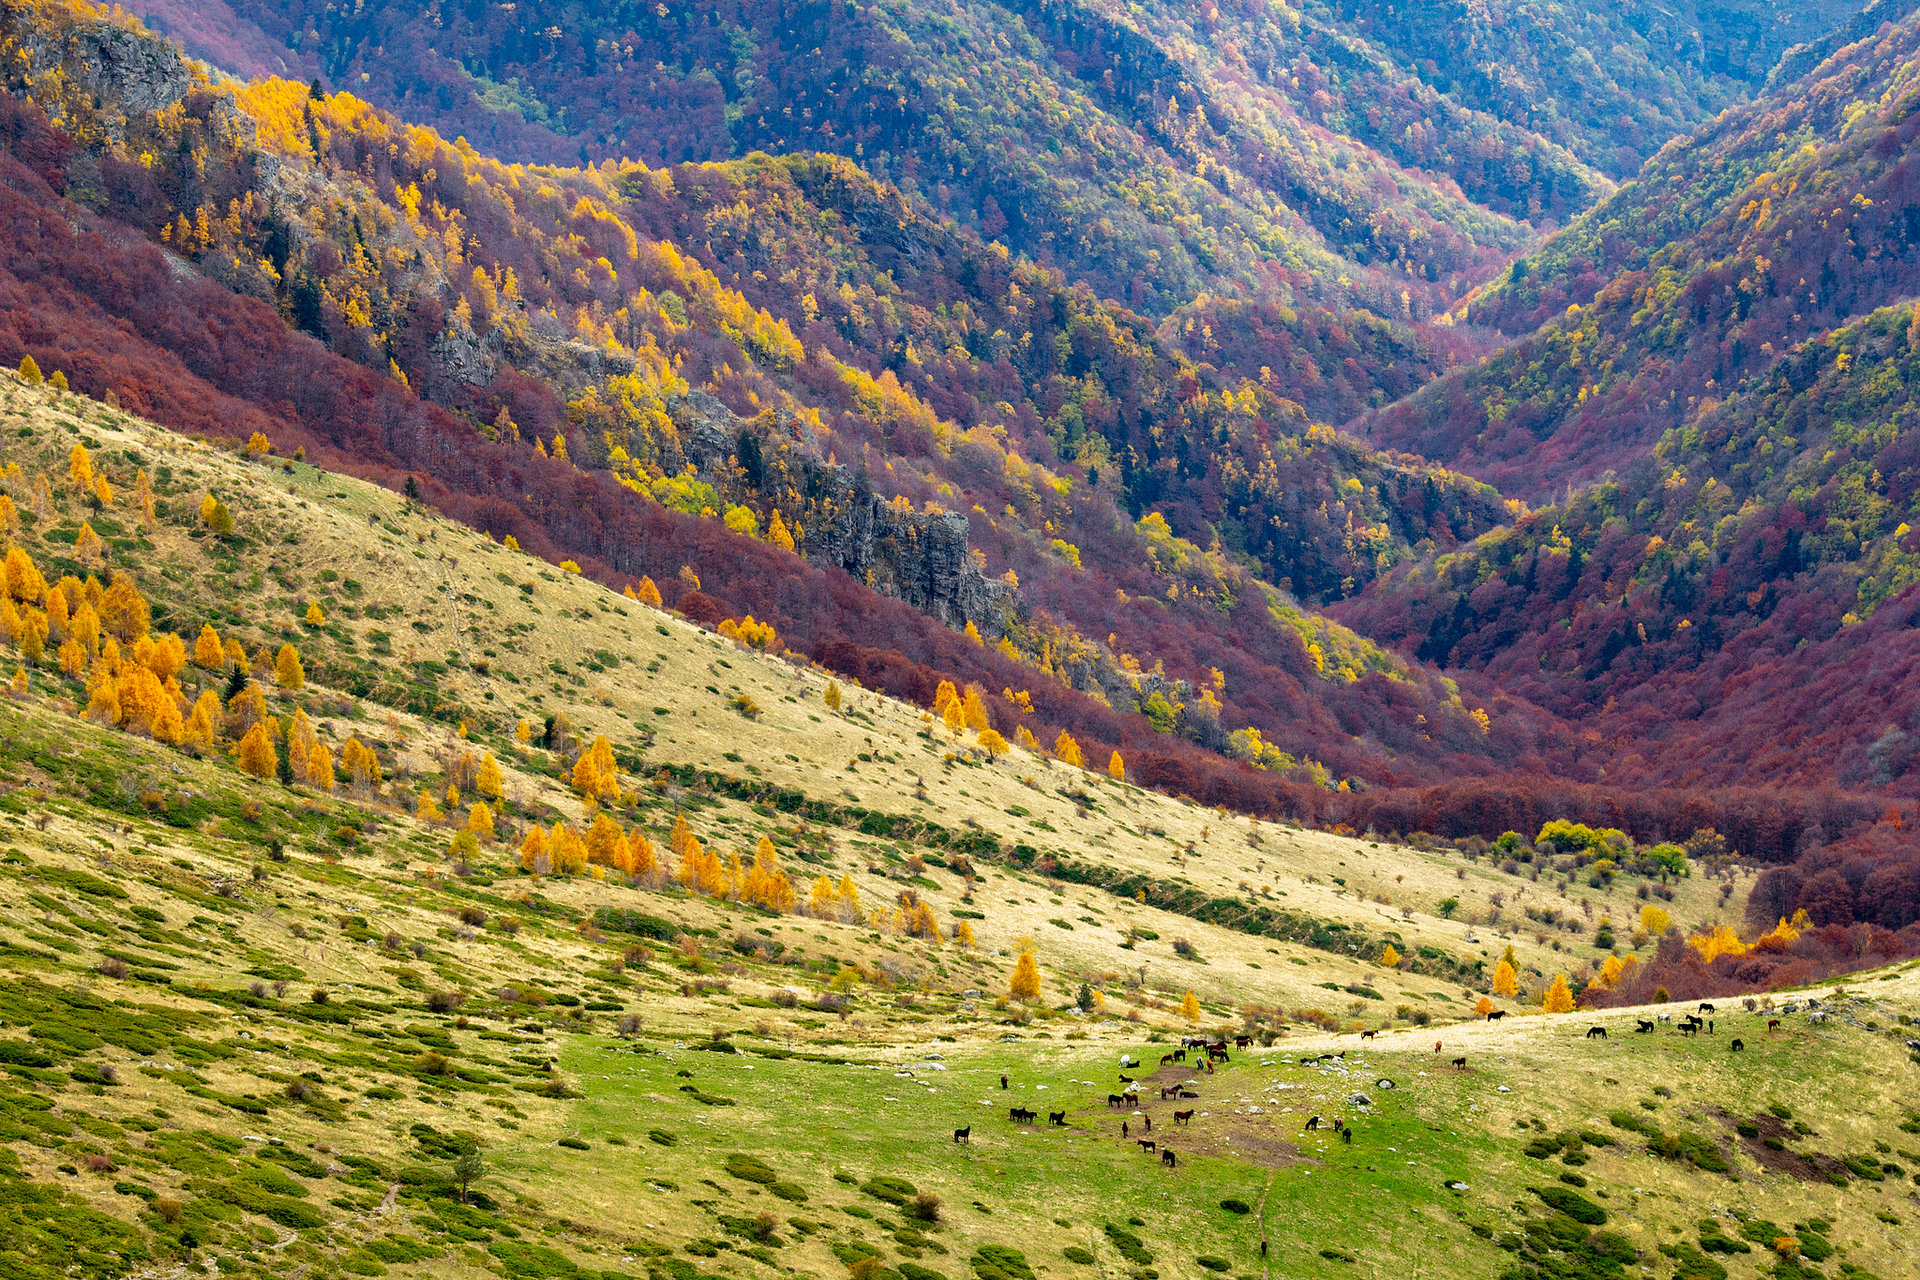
1771 225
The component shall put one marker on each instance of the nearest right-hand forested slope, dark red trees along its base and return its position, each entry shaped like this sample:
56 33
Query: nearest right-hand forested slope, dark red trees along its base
1740 605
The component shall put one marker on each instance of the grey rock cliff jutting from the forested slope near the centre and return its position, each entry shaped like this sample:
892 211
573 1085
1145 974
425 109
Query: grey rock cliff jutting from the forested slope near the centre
919 557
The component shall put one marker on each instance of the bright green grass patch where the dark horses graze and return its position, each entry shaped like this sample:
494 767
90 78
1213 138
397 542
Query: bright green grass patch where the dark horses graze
802 1120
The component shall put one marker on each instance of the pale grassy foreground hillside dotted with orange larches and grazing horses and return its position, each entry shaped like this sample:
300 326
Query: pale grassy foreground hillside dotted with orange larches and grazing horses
260 1026
